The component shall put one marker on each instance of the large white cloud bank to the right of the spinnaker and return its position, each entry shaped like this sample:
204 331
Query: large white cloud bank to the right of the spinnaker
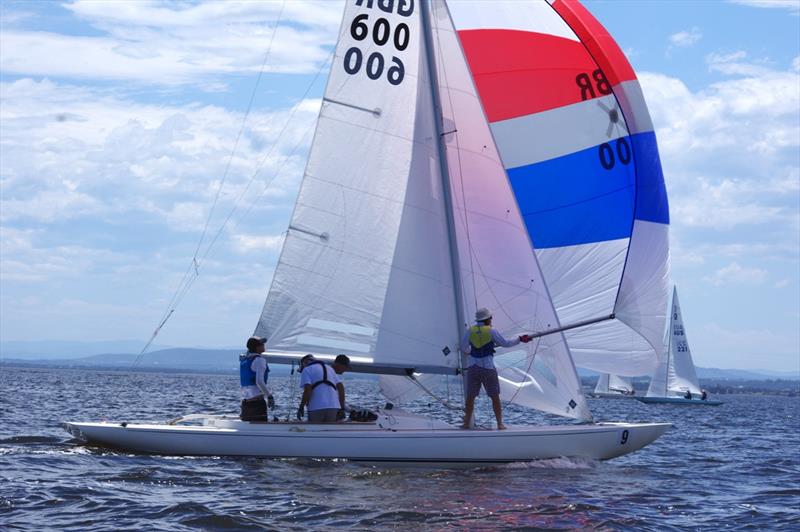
730 151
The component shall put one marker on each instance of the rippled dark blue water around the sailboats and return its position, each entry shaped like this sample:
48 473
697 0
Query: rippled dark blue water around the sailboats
734 466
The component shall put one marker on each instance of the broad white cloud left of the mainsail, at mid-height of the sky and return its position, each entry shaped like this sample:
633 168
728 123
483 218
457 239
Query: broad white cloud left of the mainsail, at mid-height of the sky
108 155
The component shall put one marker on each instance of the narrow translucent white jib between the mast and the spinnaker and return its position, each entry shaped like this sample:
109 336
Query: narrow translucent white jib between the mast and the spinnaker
498 266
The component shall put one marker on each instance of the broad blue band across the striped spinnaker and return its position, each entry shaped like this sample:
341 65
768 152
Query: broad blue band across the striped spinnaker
574 200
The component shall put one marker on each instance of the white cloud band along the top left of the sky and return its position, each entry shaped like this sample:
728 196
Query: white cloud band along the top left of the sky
163 43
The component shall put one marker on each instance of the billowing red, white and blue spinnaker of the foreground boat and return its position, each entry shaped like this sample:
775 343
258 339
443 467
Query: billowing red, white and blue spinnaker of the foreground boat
574 134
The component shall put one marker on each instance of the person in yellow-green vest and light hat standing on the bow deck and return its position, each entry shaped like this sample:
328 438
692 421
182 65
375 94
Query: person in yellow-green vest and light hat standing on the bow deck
479 343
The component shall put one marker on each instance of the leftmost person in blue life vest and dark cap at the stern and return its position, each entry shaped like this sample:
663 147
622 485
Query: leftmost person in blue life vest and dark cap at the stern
253 374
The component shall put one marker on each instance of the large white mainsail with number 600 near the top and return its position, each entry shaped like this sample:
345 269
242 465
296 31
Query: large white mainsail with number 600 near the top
367 252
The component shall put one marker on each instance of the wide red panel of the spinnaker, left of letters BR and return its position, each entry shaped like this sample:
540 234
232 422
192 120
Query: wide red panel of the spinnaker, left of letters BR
518 73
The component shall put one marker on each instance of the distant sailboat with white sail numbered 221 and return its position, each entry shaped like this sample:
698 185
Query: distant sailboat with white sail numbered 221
675 380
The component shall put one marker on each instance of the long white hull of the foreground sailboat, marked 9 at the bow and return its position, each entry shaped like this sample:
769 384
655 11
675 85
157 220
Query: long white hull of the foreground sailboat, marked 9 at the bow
374 442
